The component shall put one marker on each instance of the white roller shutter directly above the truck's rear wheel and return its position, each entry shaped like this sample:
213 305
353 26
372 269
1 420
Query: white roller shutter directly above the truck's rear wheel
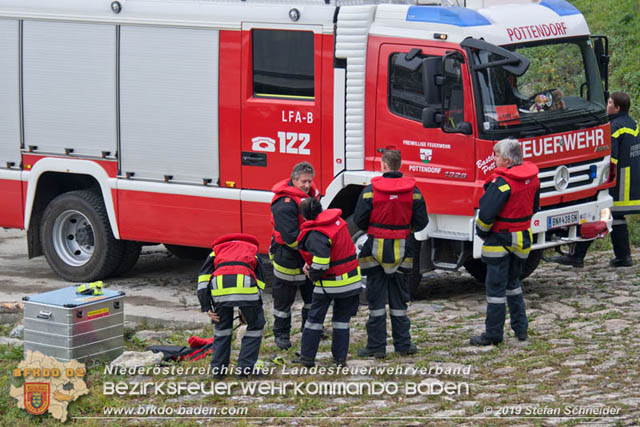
69 87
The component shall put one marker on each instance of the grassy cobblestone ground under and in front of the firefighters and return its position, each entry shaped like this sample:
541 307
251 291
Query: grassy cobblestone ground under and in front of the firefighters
580 365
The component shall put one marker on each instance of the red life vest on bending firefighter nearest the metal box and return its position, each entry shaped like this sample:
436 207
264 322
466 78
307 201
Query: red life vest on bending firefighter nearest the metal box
235 254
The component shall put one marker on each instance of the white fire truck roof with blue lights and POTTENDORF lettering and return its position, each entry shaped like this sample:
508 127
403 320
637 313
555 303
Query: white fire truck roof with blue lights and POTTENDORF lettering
497 21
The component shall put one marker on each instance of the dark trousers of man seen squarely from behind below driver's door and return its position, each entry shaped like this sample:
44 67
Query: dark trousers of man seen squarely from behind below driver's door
391 288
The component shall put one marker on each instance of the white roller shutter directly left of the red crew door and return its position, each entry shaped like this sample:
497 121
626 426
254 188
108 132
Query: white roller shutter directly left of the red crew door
169 103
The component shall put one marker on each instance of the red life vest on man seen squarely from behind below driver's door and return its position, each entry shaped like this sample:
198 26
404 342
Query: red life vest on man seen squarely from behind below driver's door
392 207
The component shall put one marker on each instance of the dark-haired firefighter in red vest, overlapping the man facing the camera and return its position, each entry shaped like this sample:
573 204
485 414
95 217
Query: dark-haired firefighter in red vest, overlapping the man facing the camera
332 265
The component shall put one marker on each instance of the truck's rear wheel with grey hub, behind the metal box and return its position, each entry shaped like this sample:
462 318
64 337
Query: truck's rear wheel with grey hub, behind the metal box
76 237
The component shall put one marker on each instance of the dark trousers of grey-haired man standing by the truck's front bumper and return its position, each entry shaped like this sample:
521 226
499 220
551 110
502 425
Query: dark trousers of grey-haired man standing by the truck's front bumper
503 287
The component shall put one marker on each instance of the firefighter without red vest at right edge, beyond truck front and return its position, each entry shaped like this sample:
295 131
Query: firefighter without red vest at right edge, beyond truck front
625 153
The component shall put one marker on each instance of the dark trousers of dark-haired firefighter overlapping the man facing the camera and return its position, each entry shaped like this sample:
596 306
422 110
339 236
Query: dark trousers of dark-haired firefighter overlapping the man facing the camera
343 310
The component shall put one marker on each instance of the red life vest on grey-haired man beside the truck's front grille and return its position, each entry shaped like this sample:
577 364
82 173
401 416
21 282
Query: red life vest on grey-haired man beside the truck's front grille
517 212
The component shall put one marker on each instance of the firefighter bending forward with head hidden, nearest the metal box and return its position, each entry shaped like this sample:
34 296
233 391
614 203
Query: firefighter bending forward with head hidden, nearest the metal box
232 277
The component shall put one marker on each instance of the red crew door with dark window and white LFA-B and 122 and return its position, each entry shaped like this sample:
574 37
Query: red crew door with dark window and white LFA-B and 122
281 86
